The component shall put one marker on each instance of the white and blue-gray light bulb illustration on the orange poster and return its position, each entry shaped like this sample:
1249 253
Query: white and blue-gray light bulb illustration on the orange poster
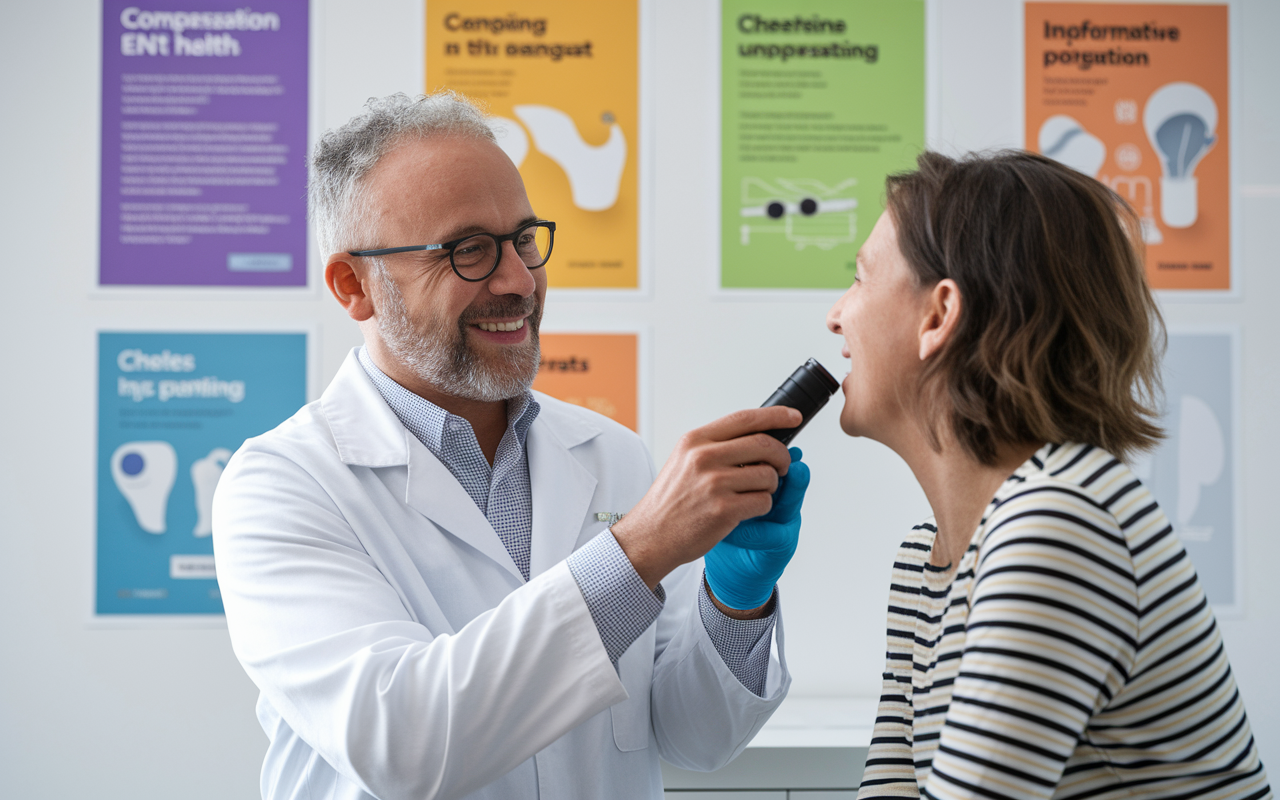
1181 120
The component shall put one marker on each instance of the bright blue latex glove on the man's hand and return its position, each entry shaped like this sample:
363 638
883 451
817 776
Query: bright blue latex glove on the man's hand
744 568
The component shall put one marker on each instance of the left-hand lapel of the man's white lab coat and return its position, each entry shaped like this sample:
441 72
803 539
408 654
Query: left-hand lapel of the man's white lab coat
369 435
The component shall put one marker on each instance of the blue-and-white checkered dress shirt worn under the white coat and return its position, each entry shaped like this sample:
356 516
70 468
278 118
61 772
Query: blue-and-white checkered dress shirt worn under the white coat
621 605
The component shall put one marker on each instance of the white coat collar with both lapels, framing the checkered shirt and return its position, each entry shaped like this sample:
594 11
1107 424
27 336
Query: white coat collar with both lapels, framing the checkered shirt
368 435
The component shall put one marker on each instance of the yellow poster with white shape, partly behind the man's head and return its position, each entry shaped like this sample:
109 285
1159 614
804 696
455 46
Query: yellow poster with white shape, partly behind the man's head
561 79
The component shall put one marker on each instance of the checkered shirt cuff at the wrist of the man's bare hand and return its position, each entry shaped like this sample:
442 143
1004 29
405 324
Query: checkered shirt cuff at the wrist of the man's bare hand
621 605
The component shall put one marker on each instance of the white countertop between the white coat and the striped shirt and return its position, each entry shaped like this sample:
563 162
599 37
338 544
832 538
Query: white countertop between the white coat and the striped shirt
820 723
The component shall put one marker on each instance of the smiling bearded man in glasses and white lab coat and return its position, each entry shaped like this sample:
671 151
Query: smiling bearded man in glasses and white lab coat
424 572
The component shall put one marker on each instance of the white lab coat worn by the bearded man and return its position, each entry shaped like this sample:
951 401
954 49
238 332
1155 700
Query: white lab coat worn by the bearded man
400 653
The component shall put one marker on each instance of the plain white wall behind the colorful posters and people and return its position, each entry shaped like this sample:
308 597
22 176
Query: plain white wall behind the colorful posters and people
168 714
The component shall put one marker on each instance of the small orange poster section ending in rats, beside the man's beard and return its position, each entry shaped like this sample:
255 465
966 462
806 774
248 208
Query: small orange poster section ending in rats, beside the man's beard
595 371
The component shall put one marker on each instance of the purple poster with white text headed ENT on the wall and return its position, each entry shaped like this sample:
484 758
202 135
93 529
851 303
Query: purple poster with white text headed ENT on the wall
204 144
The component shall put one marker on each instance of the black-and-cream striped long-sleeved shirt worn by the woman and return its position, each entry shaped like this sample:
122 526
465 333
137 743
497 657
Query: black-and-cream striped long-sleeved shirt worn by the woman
1071 653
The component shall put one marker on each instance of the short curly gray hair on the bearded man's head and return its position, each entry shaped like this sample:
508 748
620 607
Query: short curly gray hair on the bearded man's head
346 154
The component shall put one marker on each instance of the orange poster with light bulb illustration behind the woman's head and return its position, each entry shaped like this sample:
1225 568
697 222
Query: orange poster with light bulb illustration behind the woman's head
1136 95
